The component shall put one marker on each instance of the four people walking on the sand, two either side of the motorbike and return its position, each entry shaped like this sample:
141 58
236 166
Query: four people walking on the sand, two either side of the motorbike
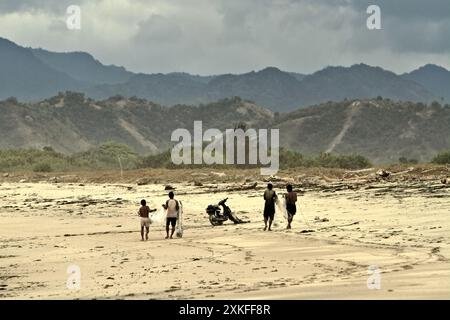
172 207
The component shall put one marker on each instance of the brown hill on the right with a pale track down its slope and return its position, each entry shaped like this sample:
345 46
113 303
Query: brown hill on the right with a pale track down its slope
380 129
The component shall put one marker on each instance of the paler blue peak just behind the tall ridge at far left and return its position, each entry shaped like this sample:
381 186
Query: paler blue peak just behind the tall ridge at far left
83 67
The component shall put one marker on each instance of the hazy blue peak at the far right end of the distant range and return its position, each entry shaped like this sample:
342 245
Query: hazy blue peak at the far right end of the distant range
434 78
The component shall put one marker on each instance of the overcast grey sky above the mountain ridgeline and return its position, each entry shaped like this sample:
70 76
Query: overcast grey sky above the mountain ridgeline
235 36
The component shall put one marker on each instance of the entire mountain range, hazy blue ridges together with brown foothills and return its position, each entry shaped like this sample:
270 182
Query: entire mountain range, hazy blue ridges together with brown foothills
358 109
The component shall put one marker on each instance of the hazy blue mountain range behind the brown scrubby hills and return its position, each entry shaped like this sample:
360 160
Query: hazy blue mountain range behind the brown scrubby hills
36 74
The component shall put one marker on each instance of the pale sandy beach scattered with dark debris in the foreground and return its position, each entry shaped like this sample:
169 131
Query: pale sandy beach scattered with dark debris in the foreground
402 228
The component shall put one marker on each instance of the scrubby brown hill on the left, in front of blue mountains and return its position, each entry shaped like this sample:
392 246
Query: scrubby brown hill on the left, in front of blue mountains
70 122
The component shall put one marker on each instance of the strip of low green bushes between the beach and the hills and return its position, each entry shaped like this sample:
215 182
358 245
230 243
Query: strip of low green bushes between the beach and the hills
115 156
